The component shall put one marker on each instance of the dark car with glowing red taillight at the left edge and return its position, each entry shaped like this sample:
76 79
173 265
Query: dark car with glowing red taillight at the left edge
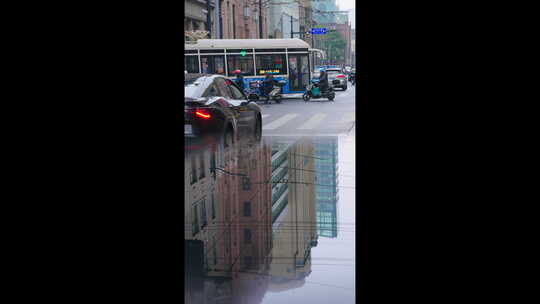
216 108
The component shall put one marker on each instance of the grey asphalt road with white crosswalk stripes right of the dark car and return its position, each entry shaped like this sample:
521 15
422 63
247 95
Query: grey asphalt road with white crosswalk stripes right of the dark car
317 117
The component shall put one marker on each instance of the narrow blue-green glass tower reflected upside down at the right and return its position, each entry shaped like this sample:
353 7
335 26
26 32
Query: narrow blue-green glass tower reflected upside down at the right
326 164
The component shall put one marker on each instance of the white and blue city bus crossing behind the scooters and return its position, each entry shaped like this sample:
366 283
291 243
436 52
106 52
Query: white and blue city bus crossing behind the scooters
286 59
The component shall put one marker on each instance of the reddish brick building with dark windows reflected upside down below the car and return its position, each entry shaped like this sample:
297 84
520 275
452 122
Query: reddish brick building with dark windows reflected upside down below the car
230 214
